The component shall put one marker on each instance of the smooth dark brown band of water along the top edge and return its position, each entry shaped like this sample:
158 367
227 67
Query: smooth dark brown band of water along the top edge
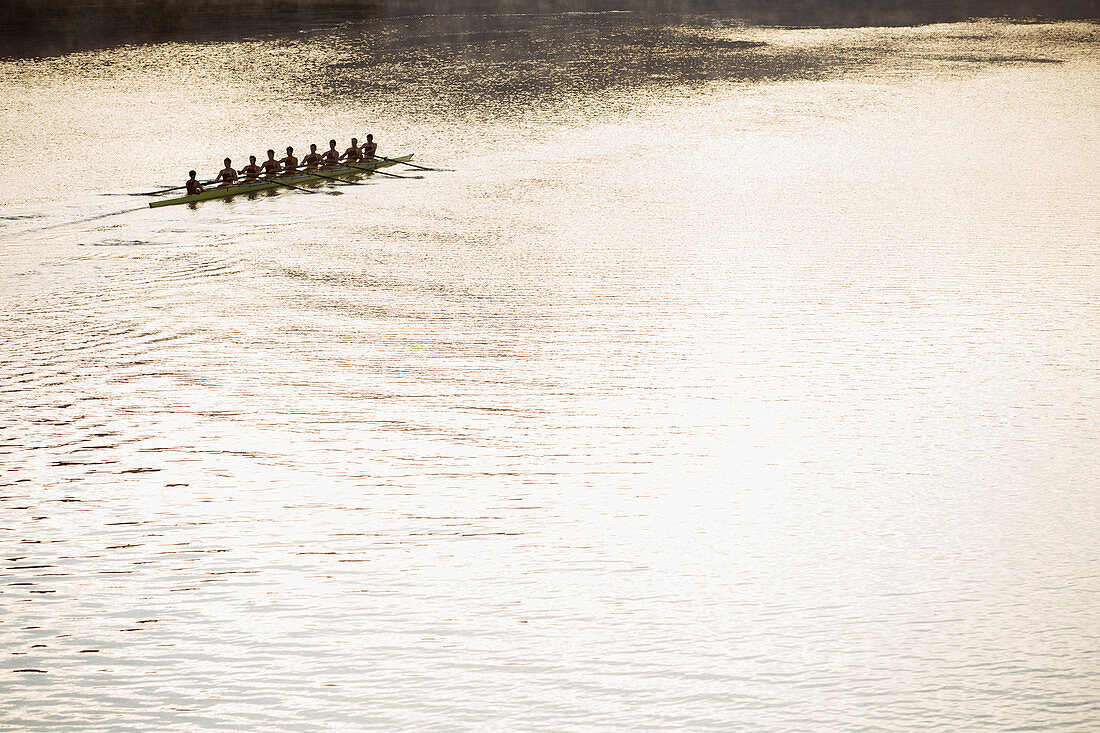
49 28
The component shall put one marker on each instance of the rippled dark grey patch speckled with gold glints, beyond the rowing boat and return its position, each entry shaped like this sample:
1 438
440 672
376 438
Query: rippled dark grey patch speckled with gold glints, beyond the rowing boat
492 63
